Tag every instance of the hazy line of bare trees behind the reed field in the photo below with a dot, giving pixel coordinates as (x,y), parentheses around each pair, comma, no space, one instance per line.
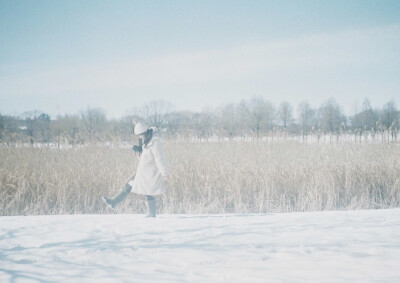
(254,118)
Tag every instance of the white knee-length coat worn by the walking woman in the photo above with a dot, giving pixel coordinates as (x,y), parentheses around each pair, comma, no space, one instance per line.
(151,169)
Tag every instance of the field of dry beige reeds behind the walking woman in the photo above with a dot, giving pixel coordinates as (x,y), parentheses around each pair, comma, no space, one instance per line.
(221,177)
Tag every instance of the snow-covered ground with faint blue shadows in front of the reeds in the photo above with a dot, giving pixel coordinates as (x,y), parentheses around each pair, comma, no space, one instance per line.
(320,246)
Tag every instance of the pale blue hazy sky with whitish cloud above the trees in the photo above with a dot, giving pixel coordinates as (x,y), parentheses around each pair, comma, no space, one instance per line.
(63,56)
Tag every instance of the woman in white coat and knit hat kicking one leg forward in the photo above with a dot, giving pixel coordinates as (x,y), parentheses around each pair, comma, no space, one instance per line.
(151,174)
